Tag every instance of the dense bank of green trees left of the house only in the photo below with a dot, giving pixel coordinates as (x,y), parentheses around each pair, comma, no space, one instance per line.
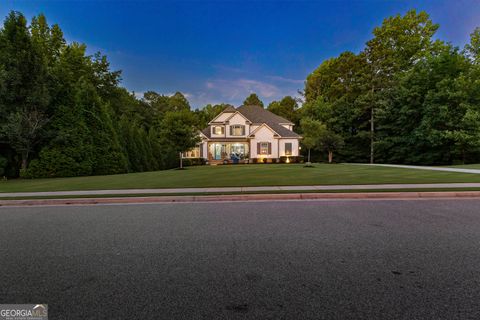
(63,112)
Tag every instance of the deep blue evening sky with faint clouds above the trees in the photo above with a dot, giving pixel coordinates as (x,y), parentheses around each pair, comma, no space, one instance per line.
(220,51)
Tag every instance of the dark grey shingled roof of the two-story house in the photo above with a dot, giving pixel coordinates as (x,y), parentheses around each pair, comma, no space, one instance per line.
(259,115)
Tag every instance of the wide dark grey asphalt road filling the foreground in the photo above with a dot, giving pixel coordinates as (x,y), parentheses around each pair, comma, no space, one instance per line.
(260,260)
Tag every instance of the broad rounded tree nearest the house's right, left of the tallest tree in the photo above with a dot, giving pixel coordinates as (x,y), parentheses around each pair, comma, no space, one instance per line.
(333,95)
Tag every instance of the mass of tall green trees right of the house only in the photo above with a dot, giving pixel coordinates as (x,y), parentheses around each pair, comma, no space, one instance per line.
(405,98)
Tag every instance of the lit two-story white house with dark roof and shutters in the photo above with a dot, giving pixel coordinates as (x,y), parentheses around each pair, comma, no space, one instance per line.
(247,133)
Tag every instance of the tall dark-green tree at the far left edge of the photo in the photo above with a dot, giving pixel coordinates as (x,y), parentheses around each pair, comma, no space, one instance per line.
(24,94)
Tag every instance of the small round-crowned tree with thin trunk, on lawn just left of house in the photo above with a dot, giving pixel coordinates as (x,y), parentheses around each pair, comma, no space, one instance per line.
(178,133)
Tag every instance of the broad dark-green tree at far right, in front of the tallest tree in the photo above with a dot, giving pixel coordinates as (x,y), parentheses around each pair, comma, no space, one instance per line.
(429,115)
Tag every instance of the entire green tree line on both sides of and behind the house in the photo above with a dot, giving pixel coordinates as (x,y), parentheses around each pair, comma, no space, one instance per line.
(405,98)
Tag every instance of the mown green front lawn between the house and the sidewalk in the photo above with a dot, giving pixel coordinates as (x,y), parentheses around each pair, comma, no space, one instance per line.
(242,175)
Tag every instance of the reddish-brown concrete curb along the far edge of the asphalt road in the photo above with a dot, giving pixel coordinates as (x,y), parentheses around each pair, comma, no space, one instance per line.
(246,197)
